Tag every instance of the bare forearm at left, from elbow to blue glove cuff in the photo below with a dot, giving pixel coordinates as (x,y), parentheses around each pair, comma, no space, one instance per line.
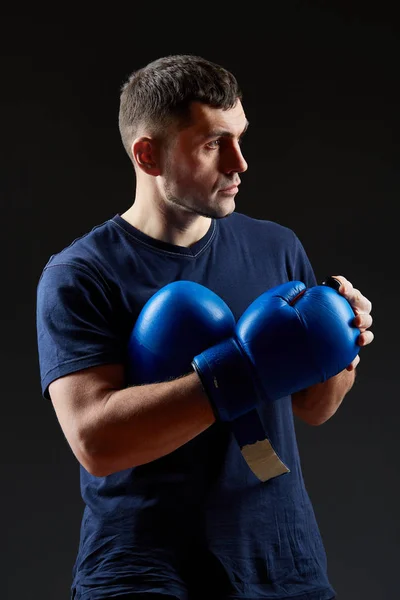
(140,424)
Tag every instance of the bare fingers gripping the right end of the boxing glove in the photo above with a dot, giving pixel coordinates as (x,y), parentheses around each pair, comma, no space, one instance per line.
(362,309)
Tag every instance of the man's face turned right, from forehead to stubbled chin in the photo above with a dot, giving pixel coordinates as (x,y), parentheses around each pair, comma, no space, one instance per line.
(205,159)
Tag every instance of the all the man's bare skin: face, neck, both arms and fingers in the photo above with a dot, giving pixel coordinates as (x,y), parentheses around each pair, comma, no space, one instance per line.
(179,189)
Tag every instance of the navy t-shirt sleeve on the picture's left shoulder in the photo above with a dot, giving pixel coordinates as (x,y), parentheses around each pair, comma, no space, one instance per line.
(75,323)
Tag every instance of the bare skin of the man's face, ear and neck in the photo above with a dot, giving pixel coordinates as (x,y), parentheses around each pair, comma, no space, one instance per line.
(180,188)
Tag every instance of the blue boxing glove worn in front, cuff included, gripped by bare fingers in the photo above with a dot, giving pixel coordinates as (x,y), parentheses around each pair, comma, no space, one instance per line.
(288,339)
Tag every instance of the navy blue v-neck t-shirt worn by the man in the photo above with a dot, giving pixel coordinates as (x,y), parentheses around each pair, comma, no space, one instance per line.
(196,523)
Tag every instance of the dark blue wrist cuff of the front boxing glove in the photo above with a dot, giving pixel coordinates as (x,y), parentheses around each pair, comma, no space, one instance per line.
(227,379)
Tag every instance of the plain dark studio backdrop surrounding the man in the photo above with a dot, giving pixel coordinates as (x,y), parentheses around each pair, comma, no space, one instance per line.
(321,91)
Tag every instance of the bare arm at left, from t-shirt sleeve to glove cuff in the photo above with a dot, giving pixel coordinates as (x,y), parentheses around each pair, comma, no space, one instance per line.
(110,429)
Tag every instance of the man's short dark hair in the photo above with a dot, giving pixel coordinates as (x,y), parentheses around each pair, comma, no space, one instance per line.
(160,94)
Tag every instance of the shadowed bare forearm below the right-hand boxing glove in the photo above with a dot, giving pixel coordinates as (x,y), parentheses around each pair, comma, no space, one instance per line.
(319,402)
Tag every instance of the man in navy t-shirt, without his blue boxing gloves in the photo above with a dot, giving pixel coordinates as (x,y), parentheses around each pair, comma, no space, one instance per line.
(172,509)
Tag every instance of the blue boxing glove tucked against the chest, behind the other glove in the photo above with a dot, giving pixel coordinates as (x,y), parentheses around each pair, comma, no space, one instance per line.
(178,322)
